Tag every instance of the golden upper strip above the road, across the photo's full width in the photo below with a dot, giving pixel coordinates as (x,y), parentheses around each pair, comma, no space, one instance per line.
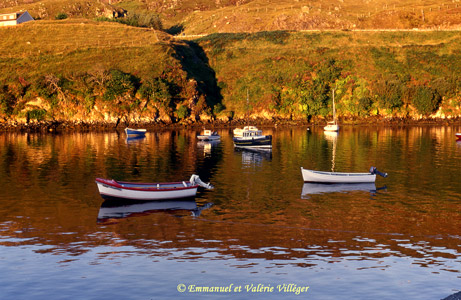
(211,16)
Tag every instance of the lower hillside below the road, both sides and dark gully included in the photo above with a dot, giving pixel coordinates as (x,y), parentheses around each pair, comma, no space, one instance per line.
(113,73)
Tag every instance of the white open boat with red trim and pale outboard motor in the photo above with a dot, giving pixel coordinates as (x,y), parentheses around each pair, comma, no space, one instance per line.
(110,189)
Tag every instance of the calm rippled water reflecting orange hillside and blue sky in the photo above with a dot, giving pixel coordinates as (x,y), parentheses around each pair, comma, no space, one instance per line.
(259,229)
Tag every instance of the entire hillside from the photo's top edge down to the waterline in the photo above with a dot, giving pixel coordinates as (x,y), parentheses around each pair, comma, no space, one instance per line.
(130,69)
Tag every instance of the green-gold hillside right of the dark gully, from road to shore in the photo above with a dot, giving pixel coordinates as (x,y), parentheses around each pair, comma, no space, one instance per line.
(374,73)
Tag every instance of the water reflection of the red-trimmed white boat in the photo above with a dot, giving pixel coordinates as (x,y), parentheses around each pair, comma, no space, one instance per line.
(119,209)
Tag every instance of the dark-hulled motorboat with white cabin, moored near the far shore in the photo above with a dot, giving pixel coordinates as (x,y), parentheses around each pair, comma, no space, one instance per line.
(251,137)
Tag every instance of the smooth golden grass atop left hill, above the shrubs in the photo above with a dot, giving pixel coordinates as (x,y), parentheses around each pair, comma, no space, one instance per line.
(77,46)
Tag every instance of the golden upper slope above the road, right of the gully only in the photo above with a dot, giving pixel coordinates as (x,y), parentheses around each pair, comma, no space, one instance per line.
(268,15)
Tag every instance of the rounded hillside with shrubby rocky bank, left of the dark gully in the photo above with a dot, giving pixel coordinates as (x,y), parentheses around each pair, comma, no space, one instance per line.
(89,71)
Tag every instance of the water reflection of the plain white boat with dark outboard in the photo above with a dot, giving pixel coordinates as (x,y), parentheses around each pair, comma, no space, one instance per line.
(321,188)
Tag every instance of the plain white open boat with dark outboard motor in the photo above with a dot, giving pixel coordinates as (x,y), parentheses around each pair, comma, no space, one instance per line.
(339,177)
